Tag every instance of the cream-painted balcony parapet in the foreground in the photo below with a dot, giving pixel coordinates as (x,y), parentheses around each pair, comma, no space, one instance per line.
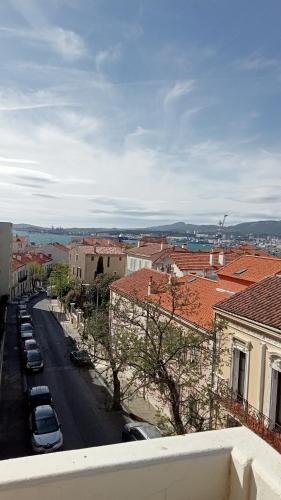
(229,464)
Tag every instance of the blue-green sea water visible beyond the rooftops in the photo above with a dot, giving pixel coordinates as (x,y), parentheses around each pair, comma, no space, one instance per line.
(43,238)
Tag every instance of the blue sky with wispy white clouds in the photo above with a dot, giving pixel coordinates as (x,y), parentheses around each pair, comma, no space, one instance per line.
(133,113)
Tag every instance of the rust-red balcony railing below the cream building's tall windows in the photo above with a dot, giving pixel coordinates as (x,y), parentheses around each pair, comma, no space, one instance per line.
(248,415)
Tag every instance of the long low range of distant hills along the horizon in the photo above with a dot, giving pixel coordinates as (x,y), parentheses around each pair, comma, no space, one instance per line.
(259,228)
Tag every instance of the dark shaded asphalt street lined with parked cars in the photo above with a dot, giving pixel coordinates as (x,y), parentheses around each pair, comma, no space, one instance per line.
(80,398)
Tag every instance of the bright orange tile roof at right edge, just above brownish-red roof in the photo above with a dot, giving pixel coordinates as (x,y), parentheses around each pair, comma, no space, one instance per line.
(250,269)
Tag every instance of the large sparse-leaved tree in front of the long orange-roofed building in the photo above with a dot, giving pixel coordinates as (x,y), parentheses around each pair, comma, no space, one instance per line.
(176,364)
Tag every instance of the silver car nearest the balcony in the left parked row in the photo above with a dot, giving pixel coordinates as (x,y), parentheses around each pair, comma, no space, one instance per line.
(46,435)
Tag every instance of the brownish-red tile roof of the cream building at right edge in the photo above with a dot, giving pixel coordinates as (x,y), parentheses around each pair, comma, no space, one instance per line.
(259,302)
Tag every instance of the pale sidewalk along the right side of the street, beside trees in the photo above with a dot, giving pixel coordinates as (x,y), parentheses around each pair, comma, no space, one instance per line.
(137,405)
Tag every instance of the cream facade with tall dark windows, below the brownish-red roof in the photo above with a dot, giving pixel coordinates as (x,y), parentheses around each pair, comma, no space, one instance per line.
(253,368)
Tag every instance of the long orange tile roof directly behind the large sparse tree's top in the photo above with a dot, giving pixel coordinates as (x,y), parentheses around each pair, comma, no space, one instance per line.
(201,293)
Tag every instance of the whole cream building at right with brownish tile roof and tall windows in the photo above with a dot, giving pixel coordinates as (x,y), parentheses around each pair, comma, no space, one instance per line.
(253,370)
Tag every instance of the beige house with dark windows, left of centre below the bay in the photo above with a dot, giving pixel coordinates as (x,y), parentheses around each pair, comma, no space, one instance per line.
(87,261)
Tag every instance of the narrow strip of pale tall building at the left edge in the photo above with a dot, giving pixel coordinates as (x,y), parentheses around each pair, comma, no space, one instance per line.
(5,257)
